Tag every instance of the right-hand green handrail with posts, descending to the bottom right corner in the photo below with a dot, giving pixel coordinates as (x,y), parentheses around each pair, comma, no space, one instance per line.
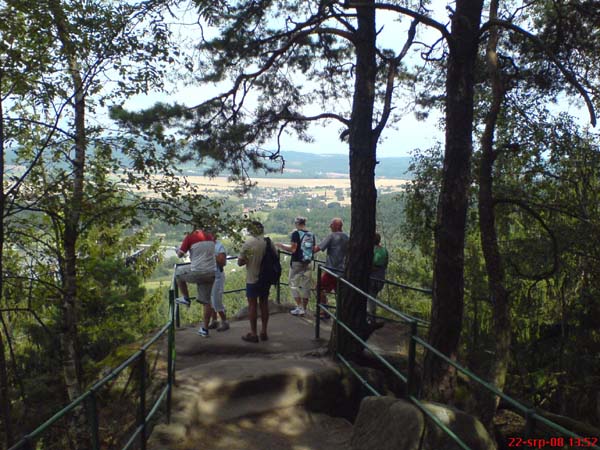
(531,416)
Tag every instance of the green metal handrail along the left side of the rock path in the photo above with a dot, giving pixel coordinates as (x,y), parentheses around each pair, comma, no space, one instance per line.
(90,394)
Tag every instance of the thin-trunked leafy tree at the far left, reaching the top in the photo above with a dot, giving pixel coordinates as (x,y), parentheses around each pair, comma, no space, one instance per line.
(51,80)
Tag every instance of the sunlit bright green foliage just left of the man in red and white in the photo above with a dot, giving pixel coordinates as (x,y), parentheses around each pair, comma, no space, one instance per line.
(114,306)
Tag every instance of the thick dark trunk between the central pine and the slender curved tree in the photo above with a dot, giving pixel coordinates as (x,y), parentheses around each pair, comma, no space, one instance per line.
(448,273)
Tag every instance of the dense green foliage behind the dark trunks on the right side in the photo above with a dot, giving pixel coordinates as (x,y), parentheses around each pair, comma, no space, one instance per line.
(547,191)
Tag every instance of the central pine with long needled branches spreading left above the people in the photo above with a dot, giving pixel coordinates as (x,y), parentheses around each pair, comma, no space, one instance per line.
(285,44)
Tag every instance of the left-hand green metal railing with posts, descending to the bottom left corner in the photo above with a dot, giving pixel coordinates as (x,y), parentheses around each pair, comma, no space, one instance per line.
(89,399)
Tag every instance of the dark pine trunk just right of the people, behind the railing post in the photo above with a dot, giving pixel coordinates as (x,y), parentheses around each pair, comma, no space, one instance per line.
(363,144)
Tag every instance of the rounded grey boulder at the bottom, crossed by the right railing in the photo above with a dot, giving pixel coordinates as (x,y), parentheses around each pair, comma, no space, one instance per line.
(390,423)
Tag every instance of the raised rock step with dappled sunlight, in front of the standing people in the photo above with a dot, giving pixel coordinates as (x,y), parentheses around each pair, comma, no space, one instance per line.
(230,388)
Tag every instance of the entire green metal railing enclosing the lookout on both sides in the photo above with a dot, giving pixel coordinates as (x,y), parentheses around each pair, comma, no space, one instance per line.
(89,398)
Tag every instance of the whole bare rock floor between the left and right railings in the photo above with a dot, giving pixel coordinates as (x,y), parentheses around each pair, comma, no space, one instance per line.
(231,394)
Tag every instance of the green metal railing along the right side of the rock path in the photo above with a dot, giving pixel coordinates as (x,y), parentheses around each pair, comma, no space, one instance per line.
(411,381)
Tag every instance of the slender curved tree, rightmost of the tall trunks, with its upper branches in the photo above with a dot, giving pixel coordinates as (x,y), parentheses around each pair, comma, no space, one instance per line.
(502,79)
